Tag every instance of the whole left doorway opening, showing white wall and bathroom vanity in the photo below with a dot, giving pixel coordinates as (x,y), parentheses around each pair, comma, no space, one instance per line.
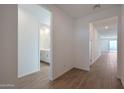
(34,41)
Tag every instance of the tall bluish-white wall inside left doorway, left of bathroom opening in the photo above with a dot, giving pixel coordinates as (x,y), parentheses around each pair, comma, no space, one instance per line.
(28,28)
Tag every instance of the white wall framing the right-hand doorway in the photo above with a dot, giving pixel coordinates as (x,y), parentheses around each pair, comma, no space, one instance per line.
(82,36)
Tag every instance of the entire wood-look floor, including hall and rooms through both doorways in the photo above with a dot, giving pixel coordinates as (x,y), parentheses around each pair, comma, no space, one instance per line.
(101,76)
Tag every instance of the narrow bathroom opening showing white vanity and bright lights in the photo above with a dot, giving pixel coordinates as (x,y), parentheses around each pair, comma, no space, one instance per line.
(45,49)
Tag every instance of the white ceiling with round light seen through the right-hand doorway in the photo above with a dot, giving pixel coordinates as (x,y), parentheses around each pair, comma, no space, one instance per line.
(112,27)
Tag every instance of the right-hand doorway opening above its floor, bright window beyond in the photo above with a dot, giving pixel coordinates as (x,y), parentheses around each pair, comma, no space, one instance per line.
(103,39)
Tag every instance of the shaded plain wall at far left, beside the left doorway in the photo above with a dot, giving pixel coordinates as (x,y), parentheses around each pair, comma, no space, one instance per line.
(8,45)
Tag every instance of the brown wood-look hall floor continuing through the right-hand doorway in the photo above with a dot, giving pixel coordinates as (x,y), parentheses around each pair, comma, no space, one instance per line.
(101,76)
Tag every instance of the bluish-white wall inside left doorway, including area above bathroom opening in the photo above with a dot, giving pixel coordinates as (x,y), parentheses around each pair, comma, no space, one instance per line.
(29,19)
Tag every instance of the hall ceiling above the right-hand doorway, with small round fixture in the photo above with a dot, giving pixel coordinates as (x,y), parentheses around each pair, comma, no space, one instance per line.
(81,10)
